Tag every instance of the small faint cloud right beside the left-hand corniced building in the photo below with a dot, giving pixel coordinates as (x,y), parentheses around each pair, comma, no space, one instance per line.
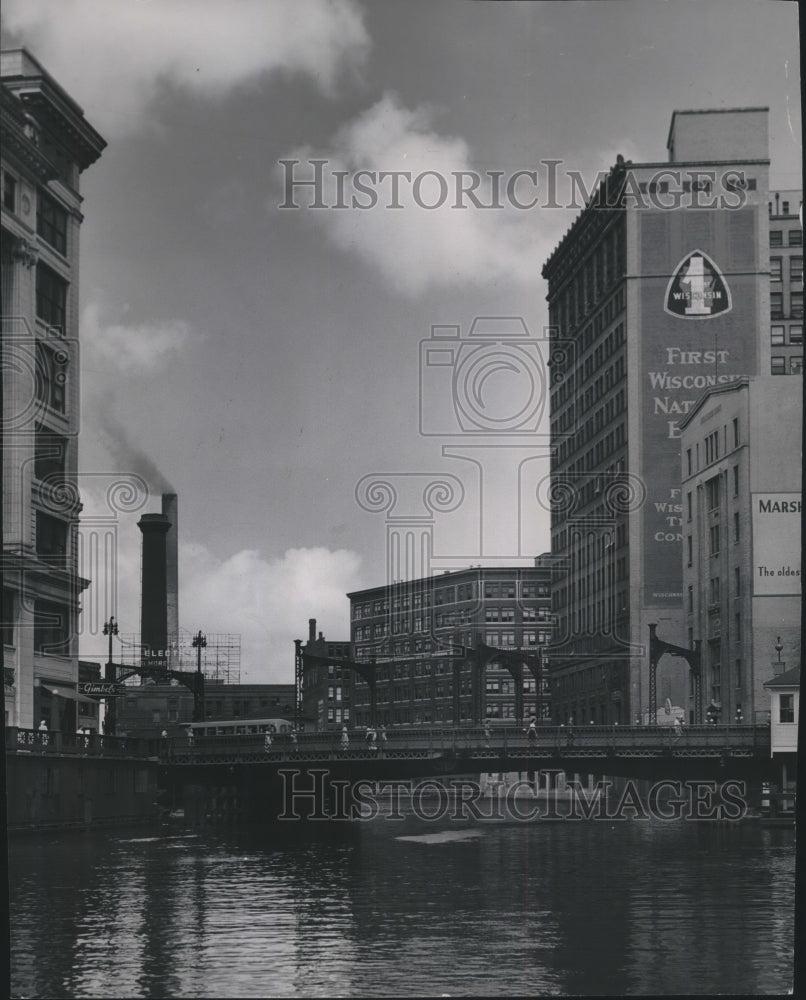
(134,349)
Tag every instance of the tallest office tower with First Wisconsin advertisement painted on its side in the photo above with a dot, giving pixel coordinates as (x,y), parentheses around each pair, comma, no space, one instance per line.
(659,290)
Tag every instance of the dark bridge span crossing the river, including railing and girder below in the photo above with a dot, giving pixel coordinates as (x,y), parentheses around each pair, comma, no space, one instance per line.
(630,751)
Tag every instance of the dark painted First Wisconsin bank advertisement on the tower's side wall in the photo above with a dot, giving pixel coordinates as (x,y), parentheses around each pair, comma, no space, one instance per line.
(698,329)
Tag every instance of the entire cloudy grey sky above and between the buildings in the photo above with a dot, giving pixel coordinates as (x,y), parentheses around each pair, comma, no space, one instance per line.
(270,363)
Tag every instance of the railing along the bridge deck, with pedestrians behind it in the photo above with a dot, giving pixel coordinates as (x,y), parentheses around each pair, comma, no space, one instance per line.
(475,741)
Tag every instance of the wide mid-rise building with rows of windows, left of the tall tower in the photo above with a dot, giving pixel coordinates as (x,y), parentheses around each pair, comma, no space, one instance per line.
(467,645)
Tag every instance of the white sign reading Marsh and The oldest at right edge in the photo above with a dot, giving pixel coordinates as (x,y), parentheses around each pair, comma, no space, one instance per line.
(776,544)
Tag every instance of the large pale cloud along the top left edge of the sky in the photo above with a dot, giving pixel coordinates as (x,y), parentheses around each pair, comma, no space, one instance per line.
(114,57)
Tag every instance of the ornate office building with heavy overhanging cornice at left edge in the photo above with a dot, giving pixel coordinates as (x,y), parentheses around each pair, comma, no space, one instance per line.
(46,144)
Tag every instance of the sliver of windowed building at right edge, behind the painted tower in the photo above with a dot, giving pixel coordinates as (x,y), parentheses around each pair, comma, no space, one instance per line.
(786,283)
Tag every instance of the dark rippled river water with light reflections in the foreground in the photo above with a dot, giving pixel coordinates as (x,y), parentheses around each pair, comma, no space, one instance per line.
(405,908)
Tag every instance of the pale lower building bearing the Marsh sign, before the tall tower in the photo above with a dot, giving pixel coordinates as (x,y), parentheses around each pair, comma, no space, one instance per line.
(741,493)
